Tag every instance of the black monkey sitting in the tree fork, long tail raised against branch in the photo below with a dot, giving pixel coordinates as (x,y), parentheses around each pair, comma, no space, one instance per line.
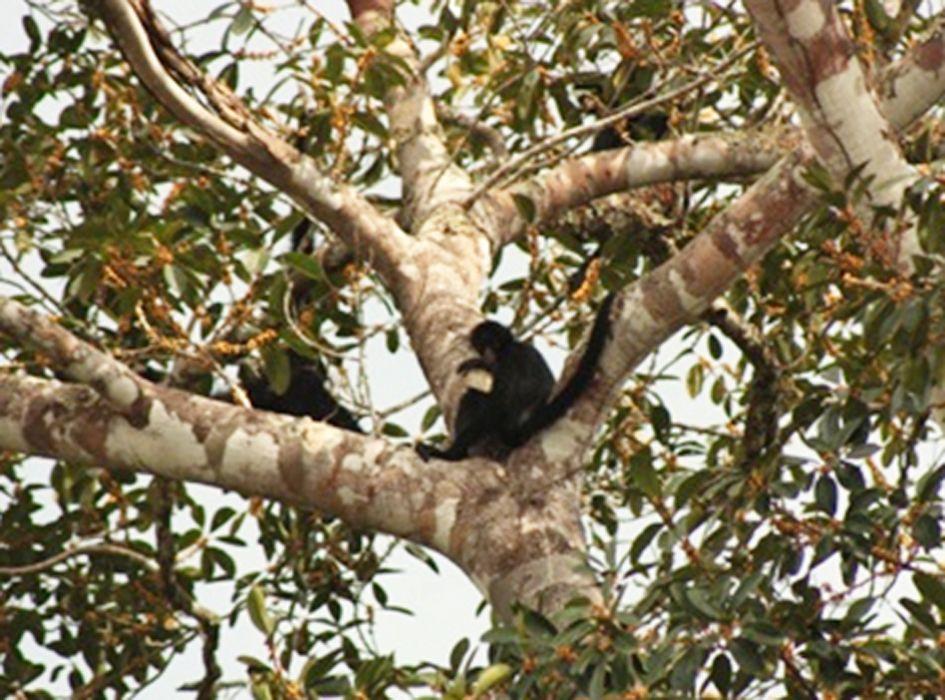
(516,405)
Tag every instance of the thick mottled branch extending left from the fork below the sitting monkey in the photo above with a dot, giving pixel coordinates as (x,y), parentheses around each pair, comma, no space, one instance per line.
(365,481)
